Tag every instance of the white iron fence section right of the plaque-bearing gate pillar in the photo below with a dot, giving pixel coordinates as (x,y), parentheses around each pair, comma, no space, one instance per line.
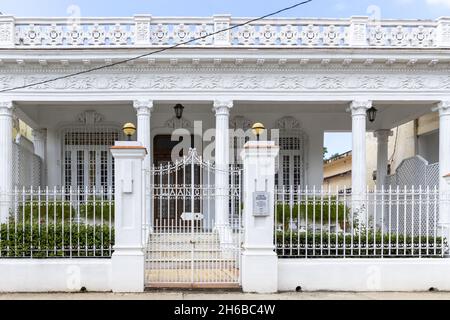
(385,223)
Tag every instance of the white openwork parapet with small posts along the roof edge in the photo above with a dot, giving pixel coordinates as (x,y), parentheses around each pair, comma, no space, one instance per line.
(146,31)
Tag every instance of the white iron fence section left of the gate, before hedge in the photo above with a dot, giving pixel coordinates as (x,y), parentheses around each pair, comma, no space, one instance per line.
(57,223)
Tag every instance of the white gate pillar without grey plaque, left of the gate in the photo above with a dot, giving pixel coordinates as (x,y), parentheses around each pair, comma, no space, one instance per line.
(128,261)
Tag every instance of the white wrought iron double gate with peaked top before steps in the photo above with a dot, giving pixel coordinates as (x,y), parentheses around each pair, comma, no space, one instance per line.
(187,246)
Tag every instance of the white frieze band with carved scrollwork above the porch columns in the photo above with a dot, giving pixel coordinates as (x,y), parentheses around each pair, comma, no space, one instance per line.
(263,82)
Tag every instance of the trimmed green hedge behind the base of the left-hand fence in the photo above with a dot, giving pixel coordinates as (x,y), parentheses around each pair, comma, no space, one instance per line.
(55,240)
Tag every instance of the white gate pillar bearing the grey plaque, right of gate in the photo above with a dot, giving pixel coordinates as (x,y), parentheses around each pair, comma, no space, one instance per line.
(259,259)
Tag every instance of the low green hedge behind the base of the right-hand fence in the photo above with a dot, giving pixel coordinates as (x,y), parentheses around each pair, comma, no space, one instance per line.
(364,245)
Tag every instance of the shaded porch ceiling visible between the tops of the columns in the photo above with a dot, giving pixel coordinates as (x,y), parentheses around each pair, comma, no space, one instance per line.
(390,113)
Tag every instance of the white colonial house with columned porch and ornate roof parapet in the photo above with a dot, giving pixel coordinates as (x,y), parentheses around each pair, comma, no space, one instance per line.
(303,77)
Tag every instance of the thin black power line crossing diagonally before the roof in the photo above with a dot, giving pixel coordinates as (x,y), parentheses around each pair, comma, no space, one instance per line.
(156,51)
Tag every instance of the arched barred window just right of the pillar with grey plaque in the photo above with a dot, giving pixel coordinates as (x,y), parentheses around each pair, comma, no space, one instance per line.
(292,161)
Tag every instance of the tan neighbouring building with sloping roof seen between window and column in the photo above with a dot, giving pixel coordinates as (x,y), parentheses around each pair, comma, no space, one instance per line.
(337,172)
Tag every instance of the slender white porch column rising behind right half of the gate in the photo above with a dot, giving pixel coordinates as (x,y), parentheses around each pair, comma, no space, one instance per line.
(222,162)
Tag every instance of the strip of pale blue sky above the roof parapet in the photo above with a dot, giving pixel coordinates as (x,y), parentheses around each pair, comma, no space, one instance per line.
(422,9)
